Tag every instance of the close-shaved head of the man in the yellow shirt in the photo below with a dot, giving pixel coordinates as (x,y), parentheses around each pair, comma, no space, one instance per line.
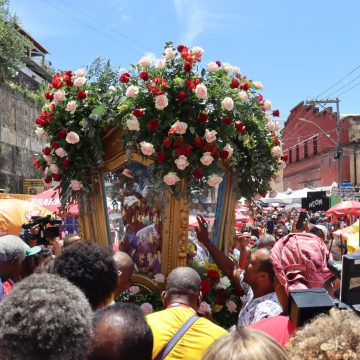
(183,285)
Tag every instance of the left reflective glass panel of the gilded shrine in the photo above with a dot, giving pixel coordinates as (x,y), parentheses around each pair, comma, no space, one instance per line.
(134,225)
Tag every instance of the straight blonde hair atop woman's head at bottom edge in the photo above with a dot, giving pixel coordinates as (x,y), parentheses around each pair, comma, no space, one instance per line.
(245,344)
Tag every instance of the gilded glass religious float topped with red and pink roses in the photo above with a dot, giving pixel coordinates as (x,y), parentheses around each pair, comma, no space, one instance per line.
(164,140)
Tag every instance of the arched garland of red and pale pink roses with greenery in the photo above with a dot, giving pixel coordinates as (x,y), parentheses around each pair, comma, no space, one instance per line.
(192,123)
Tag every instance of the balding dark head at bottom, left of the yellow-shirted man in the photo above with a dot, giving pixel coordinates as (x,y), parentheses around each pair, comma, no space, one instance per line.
(121,332)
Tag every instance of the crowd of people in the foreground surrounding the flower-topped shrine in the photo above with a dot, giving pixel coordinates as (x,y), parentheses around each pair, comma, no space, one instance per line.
(64,306)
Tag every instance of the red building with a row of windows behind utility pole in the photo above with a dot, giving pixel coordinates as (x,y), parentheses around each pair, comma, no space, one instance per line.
(310,141)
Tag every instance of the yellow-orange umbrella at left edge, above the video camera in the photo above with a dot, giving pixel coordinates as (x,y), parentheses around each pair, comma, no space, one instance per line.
(15,212)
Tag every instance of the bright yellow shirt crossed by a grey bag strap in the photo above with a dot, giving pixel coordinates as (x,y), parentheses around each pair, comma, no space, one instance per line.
(164,324)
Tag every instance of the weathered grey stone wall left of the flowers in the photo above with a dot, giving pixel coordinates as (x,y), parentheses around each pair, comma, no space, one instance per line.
(18,142)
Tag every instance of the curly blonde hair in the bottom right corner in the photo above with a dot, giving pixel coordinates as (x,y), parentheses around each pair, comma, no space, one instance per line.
(333,336)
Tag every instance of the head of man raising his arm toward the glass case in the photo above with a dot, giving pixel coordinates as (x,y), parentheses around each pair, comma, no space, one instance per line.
(259,273)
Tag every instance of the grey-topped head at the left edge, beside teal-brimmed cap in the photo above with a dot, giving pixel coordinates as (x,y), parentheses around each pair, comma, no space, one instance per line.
(12,253)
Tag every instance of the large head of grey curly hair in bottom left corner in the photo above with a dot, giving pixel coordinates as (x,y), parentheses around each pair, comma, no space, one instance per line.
(45,317)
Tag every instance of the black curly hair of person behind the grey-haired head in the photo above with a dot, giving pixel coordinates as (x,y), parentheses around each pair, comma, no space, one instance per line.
(91,267)
